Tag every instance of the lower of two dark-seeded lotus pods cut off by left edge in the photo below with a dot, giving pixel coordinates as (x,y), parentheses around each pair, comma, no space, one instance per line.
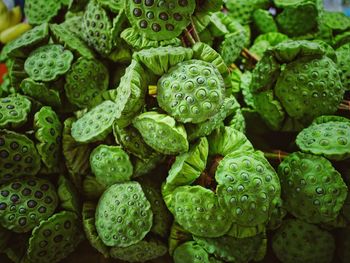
(25,202)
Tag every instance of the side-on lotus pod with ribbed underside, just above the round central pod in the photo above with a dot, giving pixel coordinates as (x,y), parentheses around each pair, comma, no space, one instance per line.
(160,60)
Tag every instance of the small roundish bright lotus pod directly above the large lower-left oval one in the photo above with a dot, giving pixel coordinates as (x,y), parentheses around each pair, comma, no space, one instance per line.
(110,165)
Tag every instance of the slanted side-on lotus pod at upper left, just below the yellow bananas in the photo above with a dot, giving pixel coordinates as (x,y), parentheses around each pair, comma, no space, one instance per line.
(19,46)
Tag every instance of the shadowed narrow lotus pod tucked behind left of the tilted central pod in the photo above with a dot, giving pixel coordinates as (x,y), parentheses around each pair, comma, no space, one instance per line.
(131,141)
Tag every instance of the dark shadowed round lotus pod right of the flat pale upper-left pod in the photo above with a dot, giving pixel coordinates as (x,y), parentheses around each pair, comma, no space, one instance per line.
(85,82)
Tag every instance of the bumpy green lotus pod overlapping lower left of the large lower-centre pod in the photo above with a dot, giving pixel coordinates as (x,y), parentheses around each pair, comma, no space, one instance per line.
(198,211)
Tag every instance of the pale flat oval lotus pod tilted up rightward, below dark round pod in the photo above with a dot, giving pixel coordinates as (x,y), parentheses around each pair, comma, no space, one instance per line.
(96,124)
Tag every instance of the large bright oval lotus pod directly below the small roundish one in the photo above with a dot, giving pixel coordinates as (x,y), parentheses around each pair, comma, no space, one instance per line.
(123,215)
